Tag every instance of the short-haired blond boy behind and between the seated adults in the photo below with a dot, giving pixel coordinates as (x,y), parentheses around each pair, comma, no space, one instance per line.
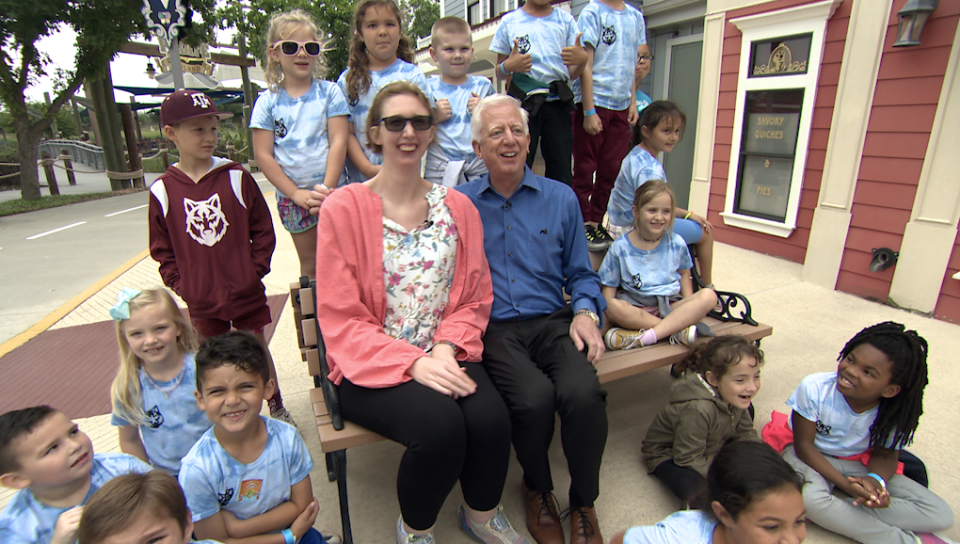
(450,158)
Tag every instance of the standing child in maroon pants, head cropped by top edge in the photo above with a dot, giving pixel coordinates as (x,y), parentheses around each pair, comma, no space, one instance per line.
(614,34)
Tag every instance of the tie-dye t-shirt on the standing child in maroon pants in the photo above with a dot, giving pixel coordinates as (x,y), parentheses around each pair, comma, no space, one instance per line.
(615,36)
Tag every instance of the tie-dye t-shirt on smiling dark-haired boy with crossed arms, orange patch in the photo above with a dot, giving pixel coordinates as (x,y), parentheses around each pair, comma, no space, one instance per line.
(213,480)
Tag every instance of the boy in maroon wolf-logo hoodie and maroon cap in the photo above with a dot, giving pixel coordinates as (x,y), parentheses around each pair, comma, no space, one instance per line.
(211,230)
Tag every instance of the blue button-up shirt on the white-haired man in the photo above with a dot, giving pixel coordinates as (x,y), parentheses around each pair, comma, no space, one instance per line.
(536,248)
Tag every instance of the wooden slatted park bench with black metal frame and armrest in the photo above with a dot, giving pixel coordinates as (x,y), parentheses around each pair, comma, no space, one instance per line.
(337,435)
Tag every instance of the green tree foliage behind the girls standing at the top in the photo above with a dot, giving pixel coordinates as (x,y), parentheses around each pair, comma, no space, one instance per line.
(251,18)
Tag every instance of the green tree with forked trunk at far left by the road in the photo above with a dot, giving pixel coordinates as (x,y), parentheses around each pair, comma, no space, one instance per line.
(102,26)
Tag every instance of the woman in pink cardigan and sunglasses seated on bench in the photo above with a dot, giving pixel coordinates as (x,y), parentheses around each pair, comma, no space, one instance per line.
(406,298)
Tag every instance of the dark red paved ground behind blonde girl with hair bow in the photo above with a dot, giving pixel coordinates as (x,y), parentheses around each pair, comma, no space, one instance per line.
(71,368)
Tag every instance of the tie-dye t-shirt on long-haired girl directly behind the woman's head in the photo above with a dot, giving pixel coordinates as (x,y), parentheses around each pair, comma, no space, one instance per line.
(400,70)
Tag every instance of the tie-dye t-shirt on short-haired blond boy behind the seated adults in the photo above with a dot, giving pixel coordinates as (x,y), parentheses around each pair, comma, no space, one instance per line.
(453,135)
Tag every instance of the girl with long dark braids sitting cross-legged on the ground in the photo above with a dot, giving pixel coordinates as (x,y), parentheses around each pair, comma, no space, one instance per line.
(868,409)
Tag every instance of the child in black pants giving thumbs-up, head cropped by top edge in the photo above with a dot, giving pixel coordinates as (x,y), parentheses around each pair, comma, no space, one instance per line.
(538,55)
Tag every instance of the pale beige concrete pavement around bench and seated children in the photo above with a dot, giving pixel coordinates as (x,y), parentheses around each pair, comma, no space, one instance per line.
(811,325)
